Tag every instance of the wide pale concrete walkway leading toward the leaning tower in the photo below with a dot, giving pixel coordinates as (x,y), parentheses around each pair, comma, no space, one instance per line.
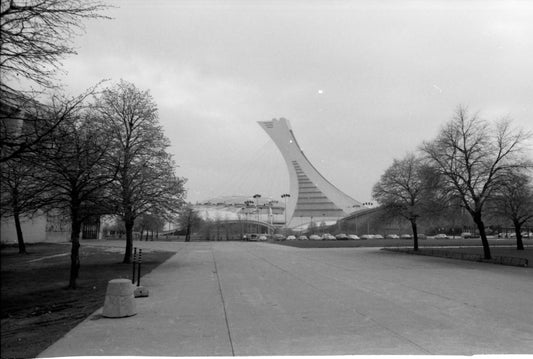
(233,298)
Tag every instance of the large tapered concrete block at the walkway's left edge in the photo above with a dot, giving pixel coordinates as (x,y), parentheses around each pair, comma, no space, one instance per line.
(119,300)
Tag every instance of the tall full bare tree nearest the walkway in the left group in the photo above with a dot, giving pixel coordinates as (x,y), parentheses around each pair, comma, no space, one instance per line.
(146,182)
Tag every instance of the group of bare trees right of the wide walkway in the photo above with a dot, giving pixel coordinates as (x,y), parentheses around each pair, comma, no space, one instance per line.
(484,166)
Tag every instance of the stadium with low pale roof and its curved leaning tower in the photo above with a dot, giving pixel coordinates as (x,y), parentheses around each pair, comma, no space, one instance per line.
(311,199)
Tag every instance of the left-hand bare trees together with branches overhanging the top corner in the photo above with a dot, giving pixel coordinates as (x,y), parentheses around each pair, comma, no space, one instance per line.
(102,152)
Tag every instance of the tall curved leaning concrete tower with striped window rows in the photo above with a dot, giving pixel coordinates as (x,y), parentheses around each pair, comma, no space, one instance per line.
(313,198)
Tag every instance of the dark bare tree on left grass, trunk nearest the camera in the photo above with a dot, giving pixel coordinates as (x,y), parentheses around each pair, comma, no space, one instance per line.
(75,166)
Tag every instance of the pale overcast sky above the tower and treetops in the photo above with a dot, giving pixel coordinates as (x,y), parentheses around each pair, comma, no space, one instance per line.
(360,82)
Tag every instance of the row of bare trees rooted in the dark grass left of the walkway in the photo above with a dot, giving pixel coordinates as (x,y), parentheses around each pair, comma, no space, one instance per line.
(107,156)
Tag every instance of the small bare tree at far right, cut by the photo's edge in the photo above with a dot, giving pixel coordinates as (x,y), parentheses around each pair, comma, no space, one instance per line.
(513,200)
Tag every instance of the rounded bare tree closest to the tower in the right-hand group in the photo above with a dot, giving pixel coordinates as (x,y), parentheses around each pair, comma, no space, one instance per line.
(407,189)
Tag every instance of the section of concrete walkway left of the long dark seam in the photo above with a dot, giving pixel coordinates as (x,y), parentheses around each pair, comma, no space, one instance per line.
(183,315)
